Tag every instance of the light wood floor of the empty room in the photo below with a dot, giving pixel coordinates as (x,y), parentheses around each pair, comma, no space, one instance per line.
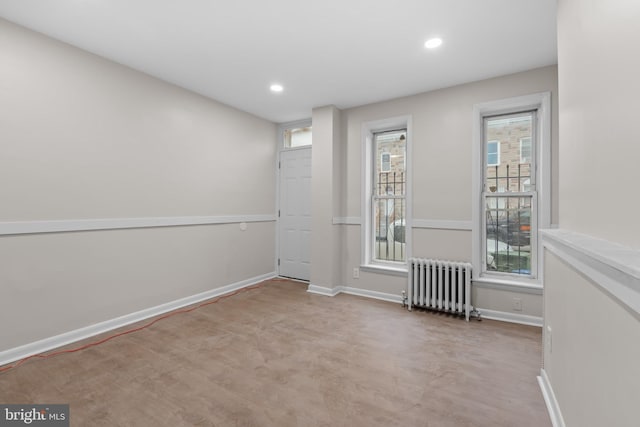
(279,356)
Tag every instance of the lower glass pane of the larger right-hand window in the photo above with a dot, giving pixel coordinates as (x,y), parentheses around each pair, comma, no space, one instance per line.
(508,242)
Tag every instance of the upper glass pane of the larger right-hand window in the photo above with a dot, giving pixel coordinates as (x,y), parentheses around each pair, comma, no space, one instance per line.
(509,151)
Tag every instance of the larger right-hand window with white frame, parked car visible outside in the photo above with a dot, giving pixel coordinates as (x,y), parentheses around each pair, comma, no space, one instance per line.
(511,199)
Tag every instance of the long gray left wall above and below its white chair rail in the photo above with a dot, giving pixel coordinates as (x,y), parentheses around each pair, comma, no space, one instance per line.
(85,138)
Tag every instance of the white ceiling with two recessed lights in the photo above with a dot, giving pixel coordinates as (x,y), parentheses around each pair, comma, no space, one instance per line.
(341,52)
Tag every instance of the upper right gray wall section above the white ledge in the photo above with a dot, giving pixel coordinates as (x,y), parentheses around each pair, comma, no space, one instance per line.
(600,145)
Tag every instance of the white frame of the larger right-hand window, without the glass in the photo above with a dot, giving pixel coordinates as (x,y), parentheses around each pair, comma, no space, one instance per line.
(541,102)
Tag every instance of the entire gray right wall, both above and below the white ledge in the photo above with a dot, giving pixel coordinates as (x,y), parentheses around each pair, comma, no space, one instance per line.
(591,355)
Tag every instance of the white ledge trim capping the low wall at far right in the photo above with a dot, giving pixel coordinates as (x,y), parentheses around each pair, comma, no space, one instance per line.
(614,268)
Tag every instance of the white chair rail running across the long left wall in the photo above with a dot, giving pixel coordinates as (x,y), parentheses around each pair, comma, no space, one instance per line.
(60,226)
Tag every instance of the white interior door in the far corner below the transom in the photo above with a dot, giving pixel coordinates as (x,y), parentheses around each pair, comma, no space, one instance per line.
(295,213)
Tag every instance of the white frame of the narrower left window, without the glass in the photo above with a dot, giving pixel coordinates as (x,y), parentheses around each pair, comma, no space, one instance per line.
(368,263)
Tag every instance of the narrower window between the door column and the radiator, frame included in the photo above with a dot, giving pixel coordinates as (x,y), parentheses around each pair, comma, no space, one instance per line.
(386,190)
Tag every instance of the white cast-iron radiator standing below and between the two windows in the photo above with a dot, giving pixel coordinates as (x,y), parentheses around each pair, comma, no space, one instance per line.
(440,285)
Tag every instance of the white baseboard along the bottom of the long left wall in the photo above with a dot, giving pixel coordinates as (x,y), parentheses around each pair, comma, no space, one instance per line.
(66,338)
